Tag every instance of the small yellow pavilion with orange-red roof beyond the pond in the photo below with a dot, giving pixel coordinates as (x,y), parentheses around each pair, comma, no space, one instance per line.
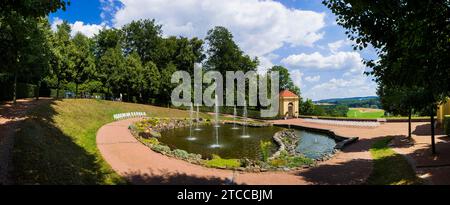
(289,103)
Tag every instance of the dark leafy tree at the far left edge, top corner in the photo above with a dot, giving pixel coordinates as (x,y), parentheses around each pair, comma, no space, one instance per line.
(19,28)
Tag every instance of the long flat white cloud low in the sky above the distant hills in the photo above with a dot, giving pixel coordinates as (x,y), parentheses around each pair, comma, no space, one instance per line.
(350,61)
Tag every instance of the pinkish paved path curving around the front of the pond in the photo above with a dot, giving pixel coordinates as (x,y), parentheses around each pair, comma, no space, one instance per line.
(140,165)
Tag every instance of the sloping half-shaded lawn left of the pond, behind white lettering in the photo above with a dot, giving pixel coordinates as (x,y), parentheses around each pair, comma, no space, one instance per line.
(56,144)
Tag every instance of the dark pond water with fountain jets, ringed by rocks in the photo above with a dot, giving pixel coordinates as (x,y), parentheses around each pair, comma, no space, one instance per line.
(240,143)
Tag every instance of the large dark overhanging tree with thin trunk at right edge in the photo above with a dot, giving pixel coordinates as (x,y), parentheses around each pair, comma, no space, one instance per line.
(412,42)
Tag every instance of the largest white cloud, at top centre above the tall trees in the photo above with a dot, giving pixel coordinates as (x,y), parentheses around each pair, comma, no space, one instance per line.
(259,27)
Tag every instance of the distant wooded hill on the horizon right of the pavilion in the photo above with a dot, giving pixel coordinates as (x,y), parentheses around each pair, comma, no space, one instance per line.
(353,102)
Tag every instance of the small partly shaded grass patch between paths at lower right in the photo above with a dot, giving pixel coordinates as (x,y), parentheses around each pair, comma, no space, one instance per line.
(390,168)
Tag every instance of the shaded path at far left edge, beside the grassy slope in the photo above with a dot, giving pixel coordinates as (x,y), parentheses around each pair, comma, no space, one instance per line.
(10,116)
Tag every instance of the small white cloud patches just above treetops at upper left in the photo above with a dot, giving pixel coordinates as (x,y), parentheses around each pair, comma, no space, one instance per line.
(87,29)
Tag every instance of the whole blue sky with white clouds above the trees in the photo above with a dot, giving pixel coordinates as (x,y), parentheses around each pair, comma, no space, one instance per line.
(299,34)
